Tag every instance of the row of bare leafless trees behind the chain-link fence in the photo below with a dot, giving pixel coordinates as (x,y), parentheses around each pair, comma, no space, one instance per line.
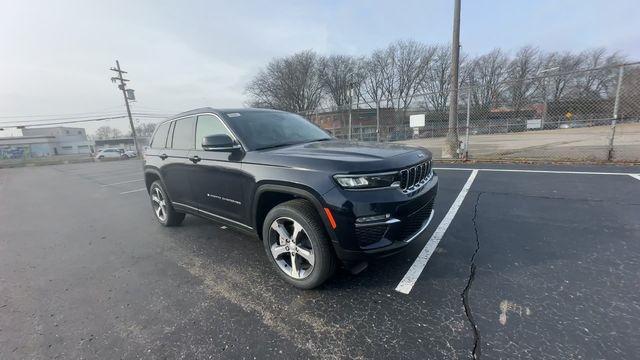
(394,76)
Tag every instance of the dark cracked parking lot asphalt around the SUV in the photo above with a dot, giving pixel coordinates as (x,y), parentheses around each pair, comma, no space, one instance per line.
(533,265)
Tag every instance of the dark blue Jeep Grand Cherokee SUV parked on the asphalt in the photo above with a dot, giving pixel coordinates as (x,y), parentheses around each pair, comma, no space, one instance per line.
(314,201)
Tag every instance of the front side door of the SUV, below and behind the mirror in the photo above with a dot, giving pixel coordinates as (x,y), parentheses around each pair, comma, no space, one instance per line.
(217,180)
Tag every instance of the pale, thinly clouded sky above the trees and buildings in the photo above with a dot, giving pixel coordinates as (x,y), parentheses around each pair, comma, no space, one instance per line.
(55,55)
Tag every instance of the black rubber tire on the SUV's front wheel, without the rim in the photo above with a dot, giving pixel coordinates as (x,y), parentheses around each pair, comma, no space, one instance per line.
(325,261)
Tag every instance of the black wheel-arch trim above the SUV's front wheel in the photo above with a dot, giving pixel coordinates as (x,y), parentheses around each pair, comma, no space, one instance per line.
(298,190)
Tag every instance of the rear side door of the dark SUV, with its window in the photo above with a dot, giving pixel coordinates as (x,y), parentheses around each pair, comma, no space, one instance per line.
(176,165)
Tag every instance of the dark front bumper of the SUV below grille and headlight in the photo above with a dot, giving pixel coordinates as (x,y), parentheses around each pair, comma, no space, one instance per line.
(410,215)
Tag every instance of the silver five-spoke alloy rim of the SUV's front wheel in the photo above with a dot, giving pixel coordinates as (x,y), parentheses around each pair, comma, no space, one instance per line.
(291,248)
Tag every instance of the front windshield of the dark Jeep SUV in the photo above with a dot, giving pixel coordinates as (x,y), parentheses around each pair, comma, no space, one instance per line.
(269,129)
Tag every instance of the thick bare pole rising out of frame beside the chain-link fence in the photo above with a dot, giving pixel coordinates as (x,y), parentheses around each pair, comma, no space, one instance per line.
(450,149)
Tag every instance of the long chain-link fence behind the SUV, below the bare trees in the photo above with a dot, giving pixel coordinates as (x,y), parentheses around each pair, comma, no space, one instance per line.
(587,115)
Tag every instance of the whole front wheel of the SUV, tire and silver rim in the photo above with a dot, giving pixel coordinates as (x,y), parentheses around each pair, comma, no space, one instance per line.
(298,245)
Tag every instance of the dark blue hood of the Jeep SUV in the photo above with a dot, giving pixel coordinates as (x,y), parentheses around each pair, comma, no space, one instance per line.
(345,156)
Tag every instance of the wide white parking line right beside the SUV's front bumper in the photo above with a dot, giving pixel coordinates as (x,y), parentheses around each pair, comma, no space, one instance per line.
(410,278)
